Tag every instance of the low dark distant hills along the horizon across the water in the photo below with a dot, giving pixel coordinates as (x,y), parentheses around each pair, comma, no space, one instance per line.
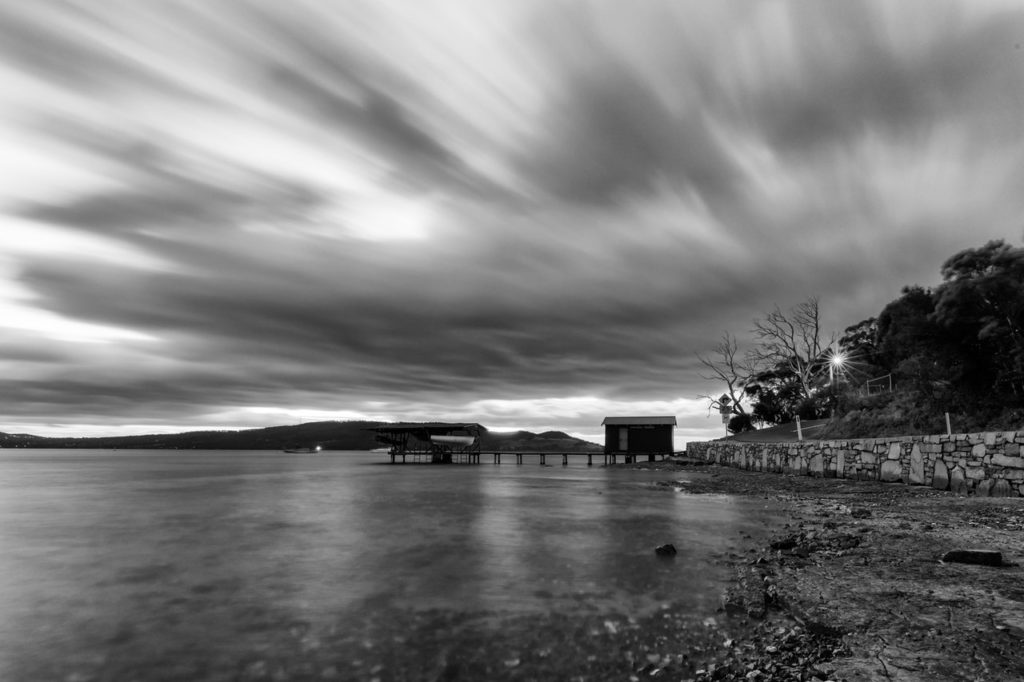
(330,436)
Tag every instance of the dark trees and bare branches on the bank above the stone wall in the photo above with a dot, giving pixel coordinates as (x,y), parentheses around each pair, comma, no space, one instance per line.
(958,348)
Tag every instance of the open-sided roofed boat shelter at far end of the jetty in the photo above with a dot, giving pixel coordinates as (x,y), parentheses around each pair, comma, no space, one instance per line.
(440,443)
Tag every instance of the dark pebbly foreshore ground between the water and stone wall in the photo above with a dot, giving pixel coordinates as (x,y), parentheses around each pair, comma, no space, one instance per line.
(852,586)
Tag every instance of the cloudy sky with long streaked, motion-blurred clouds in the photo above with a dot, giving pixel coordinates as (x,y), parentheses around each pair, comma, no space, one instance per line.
(528,215)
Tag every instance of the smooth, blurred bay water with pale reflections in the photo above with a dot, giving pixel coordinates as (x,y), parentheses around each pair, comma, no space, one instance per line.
(226,566)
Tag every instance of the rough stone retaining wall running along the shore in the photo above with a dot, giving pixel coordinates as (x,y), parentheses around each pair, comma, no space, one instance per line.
(984,464)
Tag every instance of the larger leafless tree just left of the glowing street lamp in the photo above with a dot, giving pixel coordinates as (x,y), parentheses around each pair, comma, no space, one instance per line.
(793,340)
